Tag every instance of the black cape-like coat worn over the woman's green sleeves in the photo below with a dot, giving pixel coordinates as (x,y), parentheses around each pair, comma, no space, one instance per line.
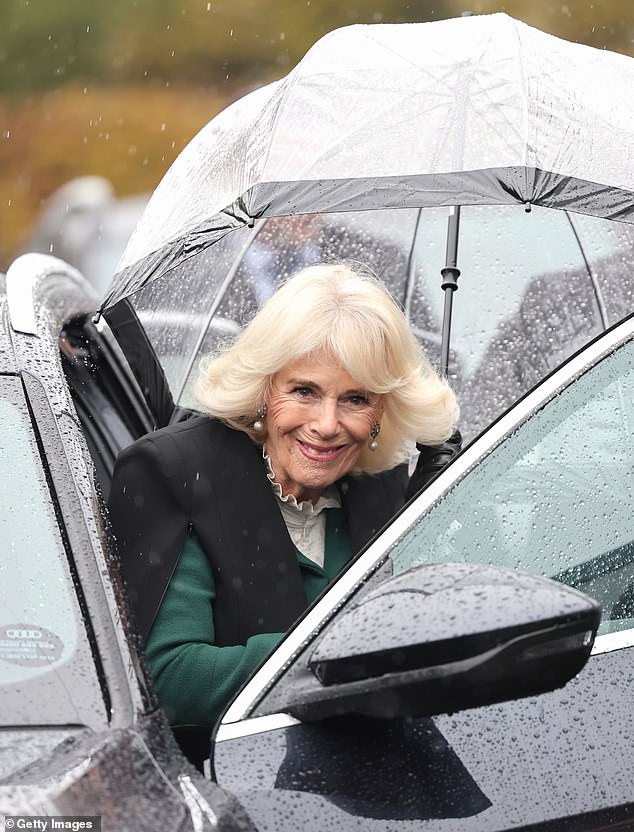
(202,475)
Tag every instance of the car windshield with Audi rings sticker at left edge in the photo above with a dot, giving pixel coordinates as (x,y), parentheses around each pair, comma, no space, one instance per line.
(47,674)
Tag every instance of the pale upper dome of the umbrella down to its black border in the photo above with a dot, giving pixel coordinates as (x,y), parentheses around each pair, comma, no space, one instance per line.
(476,110)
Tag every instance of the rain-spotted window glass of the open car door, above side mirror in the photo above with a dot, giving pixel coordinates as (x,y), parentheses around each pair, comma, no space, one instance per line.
(555,498)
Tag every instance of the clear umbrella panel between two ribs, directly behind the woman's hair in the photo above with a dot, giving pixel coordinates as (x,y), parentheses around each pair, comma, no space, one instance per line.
(381,240)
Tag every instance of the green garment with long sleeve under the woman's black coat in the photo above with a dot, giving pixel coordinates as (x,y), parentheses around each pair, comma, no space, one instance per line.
(194,678)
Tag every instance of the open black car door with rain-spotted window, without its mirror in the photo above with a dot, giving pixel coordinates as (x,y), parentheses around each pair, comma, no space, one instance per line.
(549,489)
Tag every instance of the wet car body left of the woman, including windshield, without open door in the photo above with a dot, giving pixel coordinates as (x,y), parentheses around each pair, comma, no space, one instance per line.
(80,730)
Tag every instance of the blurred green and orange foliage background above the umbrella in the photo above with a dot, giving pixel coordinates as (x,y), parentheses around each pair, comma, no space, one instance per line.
(118,88)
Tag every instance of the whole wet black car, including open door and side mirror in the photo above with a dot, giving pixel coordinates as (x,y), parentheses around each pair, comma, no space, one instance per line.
(423,690)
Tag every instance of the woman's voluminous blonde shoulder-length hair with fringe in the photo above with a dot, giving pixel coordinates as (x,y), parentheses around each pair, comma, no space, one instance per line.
(349,315)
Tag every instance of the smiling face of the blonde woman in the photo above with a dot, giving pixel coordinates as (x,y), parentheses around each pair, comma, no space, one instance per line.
(318,421)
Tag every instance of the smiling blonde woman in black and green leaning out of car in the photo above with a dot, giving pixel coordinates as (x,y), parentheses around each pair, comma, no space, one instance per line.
(229,524)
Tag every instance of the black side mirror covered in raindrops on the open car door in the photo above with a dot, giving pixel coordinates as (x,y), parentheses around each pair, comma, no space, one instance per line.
(442,638)
